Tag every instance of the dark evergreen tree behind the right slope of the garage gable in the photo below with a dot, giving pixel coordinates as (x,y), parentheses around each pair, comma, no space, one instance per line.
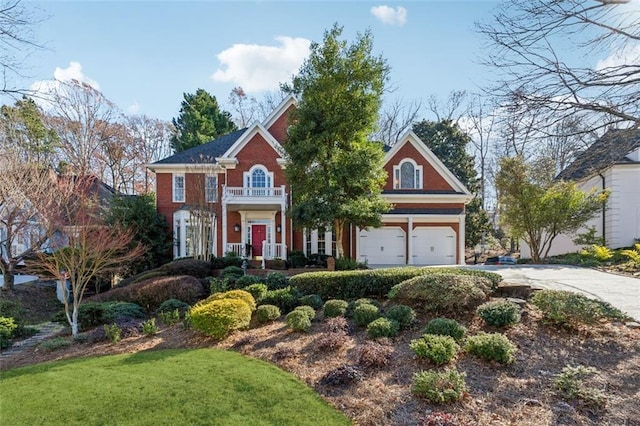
(449,143)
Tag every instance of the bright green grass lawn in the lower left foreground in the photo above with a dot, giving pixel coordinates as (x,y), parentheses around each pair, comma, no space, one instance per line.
(164,387)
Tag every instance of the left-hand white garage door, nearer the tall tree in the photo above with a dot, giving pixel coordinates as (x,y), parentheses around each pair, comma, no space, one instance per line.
(383,246)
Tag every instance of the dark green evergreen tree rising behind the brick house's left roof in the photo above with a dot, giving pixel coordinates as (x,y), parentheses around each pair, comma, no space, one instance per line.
(200,120)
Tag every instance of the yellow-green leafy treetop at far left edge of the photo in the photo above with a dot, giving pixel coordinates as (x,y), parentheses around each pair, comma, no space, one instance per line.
(23,129)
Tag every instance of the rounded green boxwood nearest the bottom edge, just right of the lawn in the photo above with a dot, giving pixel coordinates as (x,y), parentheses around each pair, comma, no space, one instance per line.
(439,386)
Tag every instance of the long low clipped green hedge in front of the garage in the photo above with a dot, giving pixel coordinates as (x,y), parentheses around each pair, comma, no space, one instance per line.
(373,282)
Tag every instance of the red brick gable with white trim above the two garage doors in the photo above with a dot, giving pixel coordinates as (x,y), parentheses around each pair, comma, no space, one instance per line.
(436,177)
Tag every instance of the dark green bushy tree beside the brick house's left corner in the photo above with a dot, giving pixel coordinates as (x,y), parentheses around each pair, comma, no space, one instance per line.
(139,215)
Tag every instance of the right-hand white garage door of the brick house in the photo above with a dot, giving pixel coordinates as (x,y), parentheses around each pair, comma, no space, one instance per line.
(434,246)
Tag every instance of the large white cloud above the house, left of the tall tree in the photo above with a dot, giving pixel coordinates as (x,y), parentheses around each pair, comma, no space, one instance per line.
(259,68)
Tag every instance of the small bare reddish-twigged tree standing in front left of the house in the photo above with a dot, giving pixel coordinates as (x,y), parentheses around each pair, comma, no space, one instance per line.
(93,250)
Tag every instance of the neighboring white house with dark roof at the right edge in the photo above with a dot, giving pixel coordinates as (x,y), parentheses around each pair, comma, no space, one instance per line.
(612,162)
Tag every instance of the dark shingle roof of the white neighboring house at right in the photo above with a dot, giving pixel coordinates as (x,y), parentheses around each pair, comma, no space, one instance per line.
(612,148)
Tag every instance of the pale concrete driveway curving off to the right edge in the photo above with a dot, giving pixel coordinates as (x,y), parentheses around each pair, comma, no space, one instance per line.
(622,292)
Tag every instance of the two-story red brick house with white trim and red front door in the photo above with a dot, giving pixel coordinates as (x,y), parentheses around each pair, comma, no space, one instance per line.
(233,191)
